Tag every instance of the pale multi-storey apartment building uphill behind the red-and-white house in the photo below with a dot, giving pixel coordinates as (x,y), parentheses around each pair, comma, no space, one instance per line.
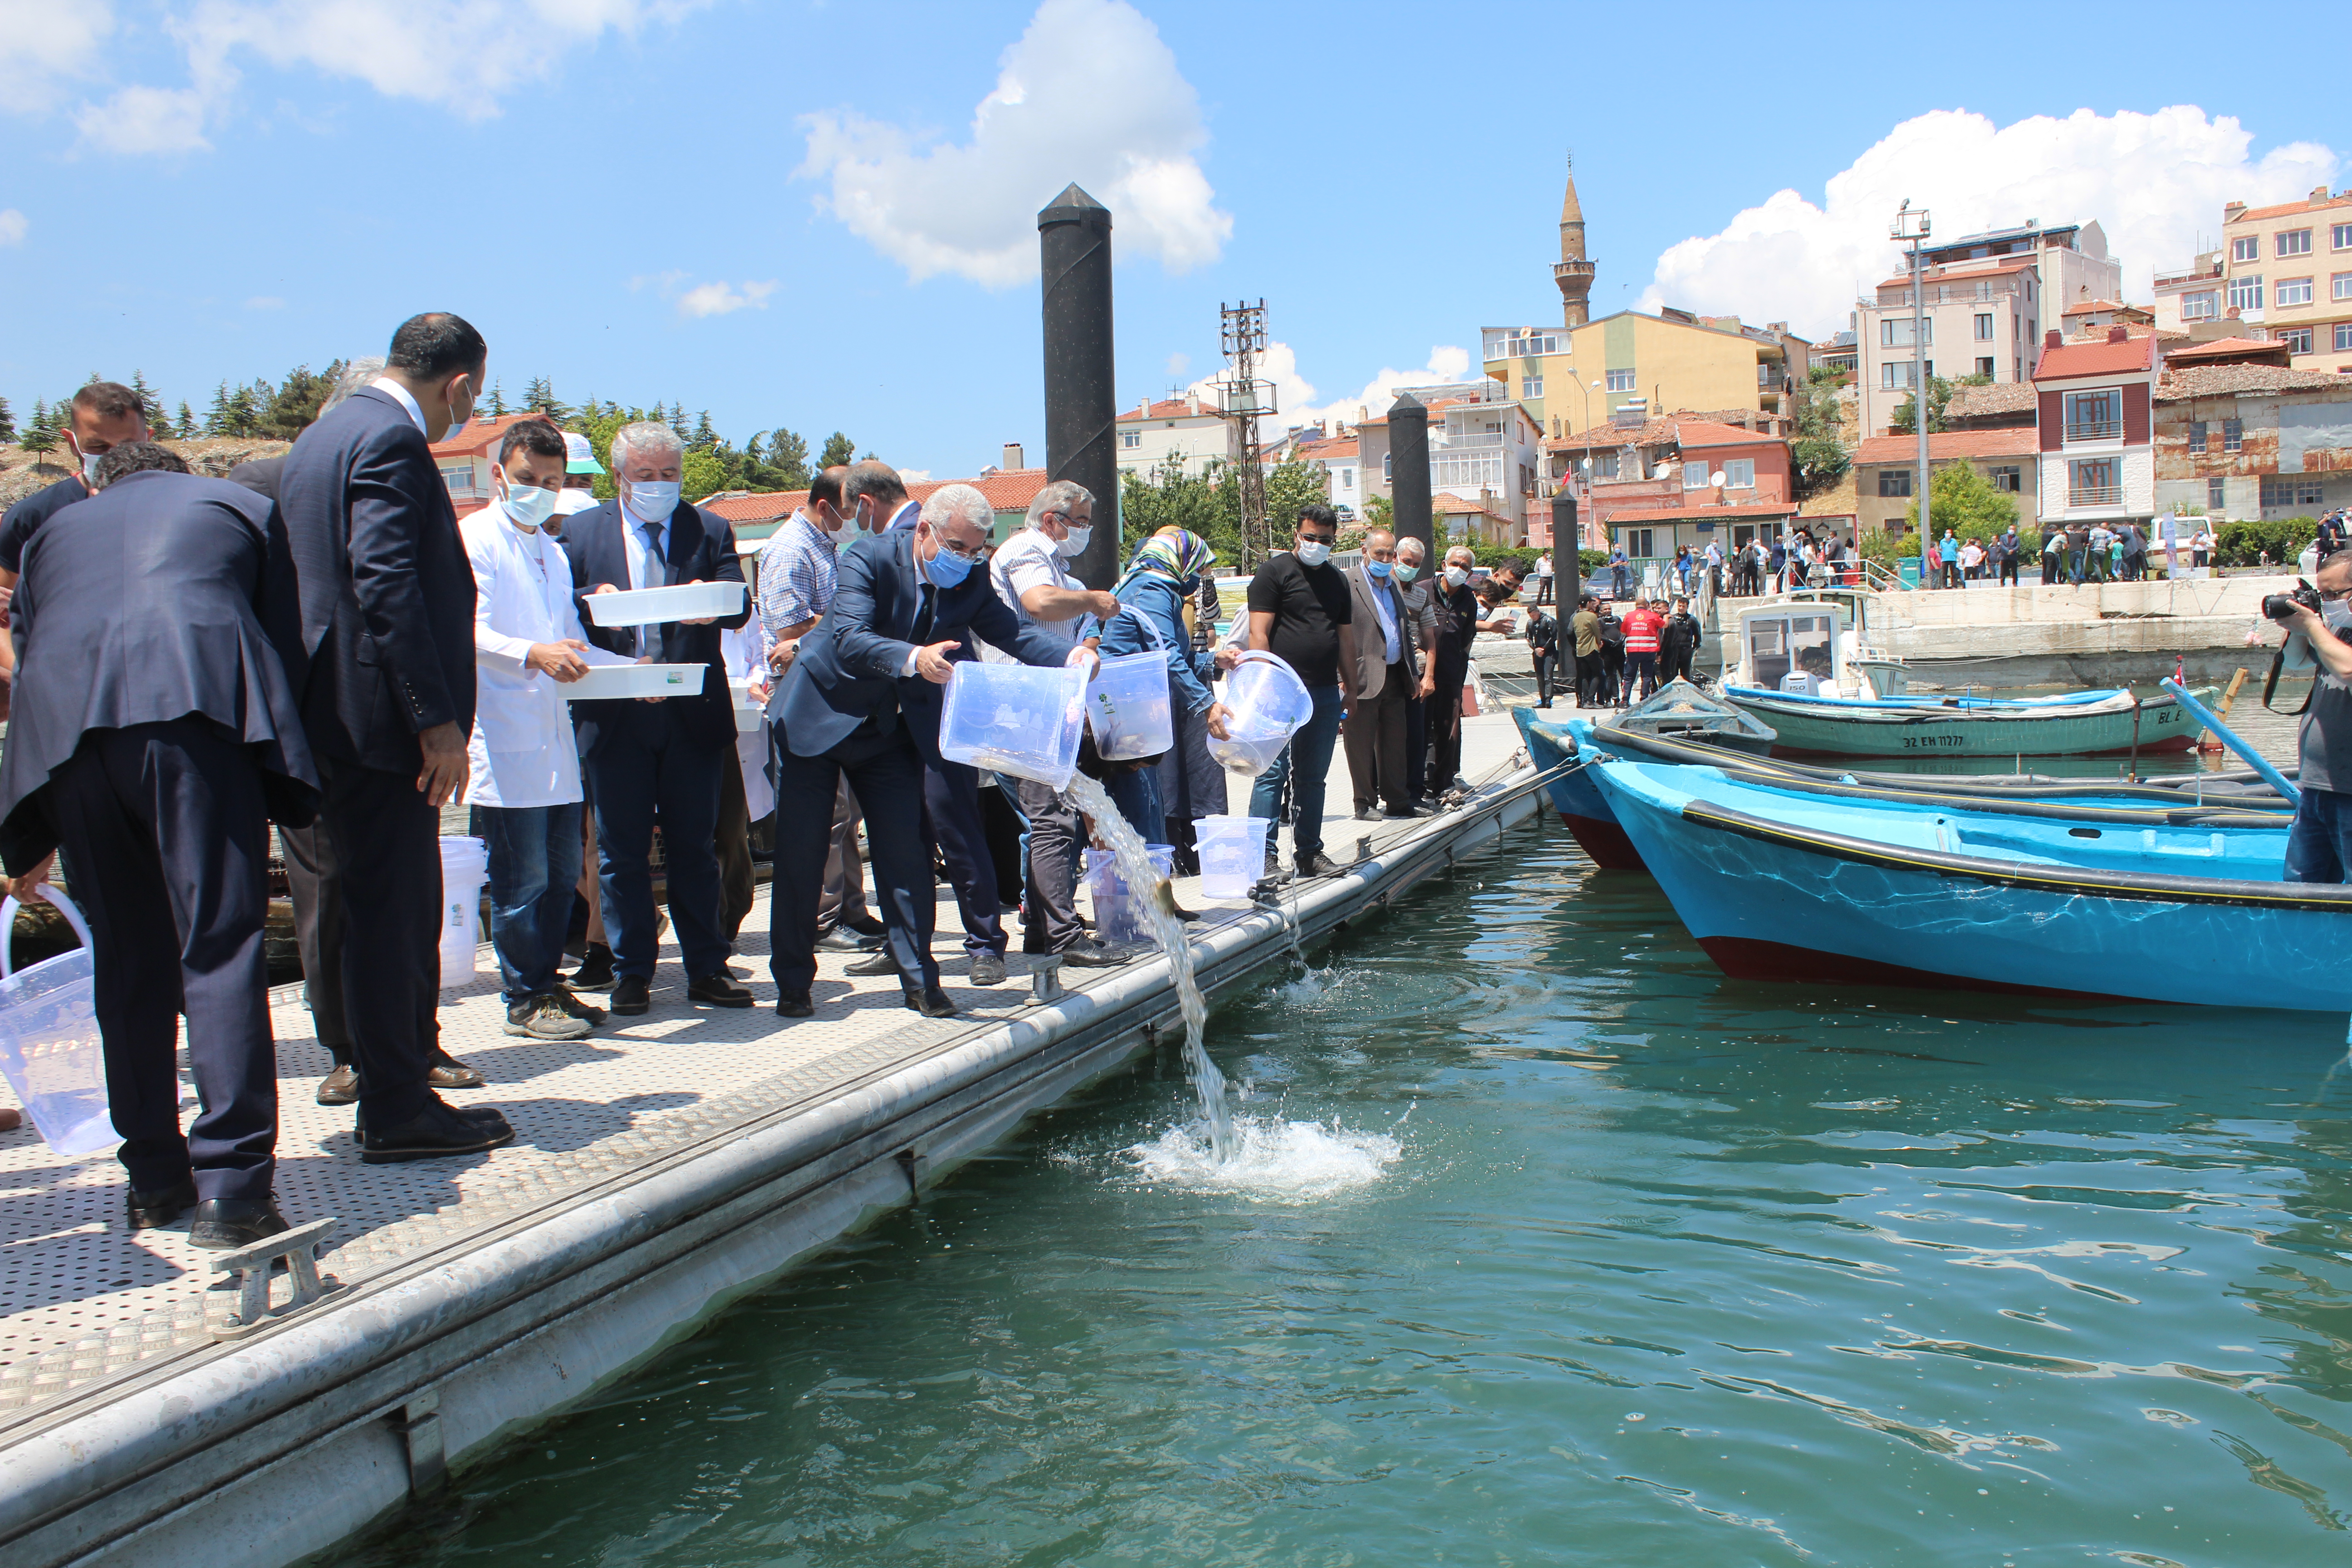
(1986,300)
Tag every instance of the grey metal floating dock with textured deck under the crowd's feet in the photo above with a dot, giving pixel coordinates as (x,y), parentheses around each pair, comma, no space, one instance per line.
(664,1167)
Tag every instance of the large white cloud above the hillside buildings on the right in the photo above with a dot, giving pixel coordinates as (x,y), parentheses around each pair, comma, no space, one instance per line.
(2153,182)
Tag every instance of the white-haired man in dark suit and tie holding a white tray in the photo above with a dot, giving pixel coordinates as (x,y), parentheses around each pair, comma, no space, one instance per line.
(660,760)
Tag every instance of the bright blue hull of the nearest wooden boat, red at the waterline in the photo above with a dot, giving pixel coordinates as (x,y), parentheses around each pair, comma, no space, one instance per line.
(1887,916)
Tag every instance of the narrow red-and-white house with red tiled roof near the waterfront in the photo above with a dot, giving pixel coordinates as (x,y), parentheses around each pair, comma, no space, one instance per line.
(2094,429)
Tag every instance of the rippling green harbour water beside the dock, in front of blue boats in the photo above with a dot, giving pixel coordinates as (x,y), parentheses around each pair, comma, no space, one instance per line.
(1664,1271)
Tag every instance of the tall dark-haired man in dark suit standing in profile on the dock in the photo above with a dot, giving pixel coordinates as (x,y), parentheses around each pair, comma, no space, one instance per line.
(387,624)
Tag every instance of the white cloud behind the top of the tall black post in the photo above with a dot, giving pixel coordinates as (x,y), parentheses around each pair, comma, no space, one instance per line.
(1085,95)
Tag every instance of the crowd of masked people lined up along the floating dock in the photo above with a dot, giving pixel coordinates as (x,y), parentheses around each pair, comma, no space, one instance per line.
(319,645)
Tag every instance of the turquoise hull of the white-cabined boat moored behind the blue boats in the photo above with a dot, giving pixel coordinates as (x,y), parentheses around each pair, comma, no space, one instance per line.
(1949,732)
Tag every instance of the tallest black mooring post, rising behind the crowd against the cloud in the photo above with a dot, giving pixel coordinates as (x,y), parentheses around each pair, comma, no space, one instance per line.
(1081,398)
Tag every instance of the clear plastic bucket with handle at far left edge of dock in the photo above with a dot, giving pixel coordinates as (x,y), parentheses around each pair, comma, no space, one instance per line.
(51,1040)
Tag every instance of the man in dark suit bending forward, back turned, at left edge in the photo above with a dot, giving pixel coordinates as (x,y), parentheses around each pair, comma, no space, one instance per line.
(154,737)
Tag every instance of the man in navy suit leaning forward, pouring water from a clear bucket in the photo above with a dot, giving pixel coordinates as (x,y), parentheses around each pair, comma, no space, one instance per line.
(864,699)
